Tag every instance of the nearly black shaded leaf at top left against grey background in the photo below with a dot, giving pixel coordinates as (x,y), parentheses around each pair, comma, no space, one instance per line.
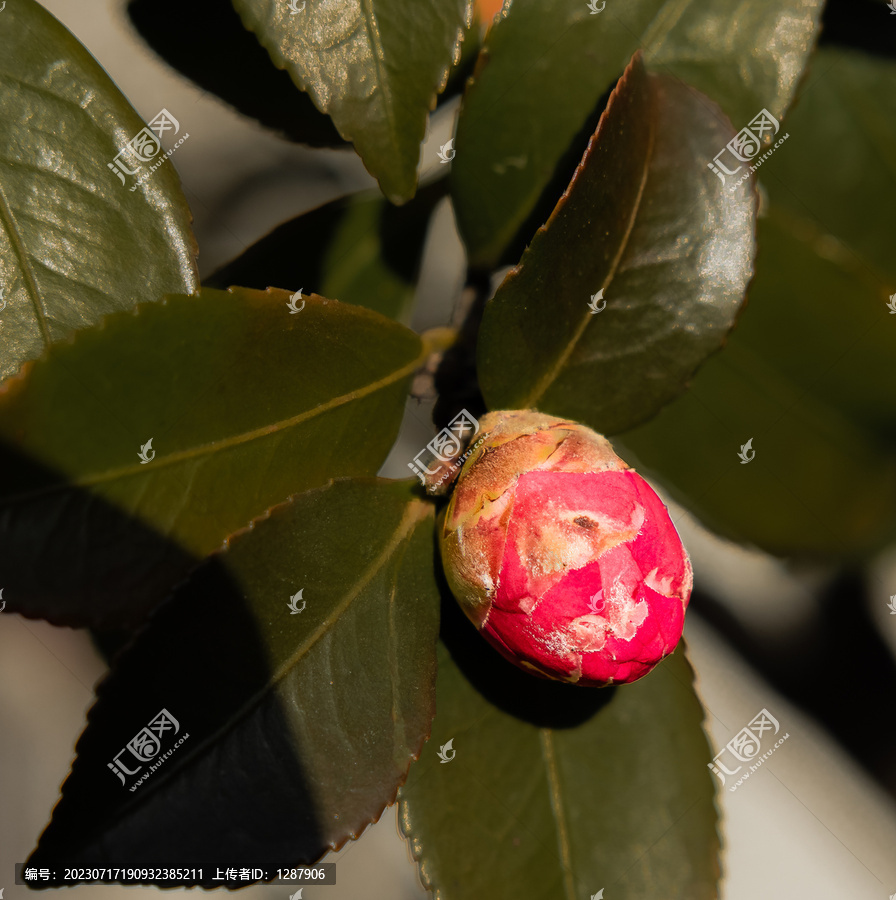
(253,86)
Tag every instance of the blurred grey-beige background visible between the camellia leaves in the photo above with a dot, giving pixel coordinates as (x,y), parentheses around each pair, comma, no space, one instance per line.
(813,643)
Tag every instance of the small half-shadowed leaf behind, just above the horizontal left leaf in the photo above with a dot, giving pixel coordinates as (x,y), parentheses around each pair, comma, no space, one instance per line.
(360,250)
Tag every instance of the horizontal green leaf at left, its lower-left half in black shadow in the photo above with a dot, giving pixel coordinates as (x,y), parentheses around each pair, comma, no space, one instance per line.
(245,404)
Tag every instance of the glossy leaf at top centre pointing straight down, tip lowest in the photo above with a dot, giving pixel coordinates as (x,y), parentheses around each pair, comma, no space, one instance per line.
(375,67)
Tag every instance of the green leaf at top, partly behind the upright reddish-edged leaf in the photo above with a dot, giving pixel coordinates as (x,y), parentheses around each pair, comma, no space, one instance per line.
(531,108)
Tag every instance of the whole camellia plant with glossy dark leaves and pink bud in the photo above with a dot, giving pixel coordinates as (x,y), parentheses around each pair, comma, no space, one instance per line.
(191,470)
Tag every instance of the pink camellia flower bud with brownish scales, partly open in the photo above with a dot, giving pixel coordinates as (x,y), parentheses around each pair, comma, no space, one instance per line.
(563,557)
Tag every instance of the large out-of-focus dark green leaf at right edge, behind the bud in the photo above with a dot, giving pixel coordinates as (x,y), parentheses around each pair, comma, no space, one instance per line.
(807,373)
